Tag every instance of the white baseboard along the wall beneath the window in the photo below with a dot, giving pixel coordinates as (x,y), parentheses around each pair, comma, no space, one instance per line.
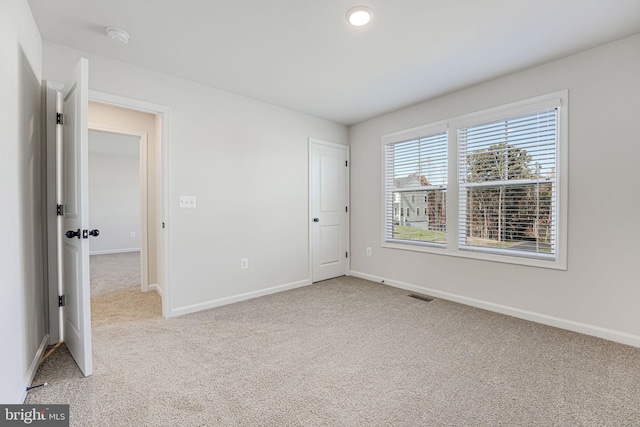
(583,328)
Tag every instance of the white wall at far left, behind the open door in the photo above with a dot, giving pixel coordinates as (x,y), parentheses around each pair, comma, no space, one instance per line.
(22,280)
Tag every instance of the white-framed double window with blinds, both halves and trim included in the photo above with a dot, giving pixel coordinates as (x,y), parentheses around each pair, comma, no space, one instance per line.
(492,185)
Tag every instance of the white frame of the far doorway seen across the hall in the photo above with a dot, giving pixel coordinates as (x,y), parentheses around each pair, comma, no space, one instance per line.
(144,244)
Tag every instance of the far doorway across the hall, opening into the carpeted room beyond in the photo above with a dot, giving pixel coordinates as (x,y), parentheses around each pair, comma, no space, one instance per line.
(118,208)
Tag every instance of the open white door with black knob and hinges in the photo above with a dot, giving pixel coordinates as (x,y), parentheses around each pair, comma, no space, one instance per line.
(74,253)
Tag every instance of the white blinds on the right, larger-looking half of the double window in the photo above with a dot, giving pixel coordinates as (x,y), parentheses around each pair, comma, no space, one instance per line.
(507,185)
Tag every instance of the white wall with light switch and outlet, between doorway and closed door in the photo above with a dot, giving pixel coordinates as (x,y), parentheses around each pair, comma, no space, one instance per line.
(244,160)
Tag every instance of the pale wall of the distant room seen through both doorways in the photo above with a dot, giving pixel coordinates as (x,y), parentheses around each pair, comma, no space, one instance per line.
(114,192)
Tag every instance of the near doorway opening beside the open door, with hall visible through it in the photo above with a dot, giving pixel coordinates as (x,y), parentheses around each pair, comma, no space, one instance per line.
(125,146)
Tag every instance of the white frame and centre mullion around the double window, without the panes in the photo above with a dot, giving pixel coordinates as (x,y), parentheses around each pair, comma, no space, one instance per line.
(559,100)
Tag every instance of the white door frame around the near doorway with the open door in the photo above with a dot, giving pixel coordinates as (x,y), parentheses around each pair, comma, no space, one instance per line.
(53,223)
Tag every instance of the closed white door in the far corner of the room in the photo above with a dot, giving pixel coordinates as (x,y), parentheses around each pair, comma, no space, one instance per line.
(329,188)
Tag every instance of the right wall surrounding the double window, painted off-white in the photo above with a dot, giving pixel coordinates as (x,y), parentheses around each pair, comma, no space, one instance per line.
(600,291)
